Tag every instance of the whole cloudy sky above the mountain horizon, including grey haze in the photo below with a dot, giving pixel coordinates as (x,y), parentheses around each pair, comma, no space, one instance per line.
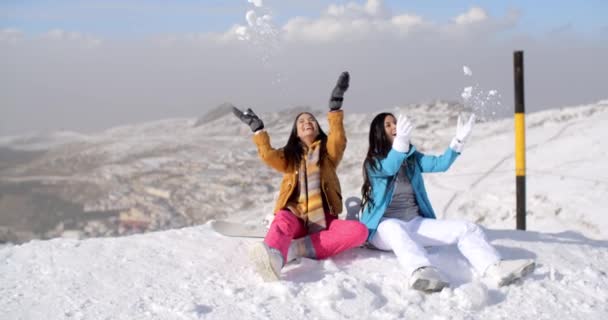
(89,65)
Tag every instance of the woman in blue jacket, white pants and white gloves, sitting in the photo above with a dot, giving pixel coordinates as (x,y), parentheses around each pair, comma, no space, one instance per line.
(400,218)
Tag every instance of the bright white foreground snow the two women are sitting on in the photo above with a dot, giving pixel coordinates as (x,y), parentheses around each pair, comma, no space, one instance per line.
(193,273)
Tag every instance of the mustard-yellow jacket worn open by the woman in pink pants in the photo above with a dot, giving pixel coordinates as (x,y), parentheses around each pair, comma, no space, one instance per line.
(330,185)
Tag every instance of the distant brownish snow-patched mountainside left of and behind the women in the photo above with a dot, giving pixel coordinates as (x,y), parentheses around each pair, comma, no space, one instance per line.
(155,176)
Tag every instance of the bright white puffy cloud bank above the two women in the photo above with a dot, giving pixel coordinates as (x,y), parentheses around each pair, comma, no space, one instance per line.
(355,22)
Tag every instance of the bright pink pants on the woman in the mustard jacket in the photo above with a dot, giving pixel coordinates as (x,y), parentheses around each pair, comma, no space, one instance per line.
(339,236)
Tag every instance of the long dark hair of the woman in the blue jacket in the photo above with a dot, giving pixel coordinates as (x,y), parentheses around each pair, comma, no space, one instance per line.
(379,147)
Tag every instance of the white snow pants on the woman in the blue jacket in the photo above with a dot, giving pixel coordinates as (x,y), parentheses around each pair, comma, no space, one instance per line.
(408,239)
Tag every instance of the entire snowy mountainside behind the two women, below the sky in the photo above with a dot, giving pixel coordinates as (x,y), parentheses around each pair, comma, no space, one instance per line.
(182,172)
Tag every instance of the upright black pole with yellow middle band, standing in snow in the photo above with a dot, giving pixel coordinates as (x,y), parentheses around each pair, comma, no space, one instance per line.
(520,140)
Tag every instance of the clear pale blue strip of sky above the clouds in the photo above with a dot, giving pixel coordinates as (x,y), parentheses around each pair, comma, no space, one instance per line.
(134,18)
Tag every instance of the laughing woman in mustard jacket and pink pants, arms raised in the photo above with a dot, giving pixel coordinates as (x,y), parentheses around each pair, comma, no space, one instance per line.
(309,198)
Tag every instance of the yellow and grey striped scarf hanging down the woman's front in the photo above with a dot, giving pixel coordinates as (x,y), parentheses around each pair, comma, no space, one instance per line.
(310,200)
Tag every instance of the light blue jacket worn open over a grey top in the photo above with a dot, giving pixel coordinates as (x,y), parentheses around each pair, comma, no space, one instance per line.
(382,181)
